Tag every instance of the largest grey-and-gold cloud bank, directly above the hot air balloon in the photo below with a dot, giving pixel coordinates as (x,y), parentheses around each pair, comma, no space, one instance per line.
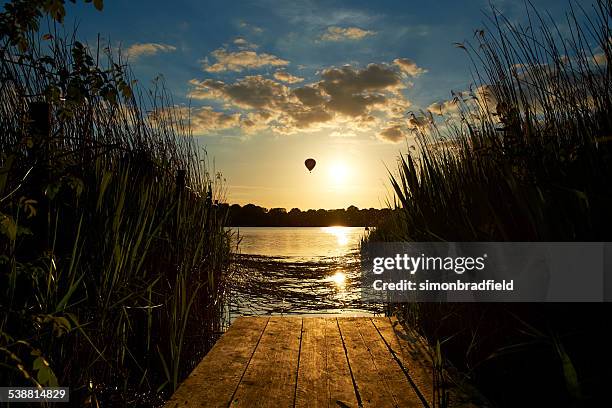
(351,98)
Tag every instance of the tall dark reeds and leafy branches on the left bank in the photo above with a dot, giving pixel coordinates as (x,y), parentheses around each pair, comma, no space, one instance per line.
(114,255)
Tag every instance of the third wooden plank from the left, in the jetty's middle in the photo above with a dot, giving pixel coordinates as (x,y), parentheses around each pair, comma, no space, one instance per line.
(324,378)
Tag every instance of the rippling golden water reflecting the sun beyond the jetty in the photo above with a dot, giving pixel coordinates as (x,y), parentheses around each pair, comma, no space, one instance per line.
(298,271)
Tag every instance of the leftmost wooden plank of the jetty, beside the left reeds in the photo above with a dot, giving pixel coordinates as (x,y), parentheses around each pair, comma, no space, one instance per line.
(213,381)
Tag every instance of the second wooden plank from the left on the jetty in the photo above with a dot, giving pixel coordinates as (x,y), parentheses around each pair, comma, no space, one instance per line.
(270,378)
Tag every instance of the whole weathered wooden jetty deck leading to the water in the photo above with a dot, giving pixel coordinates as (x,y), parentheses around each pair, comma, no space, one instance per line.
(311,362)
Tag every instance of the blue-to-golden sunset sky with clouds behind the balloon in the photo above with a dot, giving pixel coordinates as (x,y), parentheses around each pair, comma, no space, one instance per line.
(268,84)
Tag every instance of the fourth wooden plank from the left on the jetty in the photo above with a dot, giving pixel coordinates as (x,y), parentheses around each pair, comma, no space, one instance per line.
(379,379)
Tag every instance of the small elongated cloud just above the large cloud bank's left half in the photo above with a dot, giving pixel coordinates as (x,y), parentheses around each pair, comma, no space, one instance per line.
(240,60)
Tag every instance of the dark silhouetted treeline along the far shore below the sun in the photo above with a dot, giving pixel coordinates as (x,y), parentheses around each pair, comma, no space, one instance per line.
(252,215)
